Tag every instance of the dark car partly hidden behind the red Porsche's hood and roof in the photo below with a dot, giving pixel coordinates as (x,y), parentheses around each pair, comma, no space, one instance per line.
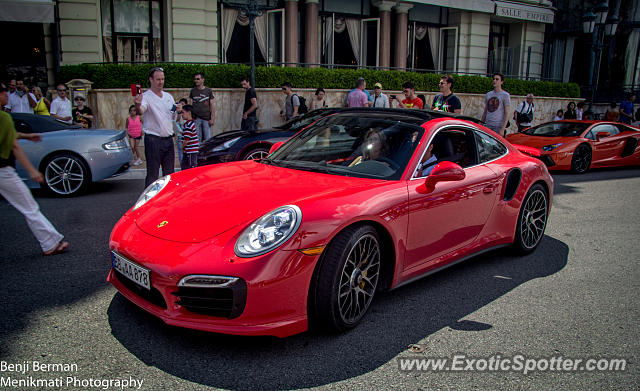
(248,145)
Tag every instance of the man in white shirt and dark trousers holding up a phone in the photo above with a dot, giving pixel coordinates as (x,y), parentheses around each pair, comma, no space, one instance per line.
(159,112)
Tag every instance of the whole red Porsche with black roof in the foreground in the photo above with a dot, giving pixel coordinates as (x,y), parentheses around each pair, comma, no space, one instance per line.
(359,201)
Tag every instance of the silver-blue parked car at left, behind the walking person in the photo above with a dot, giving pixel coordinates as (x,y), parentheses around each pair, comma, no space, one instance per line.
(69,156)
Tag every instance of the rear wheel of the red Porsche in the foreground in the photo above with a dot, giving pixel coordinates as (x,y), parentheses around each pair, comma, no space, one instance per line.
(532,220)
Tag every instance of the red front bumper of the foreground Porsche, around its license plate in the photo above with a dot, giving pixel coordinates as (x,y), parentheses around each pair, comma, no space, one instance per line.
(272,300)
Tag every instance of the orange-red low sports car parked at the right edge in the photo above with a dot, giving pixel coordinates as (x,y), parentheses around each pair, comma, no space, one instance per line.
(580,145)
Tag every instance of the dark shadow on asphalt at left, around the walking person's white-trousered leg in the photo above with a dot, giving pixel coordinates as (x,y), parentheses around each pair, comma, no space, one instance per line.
(30,282)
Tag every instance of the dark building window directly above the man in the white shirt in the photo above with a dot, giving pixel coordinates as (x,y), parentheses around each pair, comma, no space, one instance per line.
(131,30)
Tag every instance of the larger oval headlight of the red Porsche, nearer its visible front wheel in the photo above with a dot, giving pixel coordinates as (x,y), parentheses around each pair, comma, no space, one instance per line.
(268,232)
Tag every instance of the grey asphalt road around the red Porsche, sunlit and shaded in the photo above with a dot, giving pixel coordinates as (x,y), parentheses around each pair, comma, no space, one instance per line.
(576,296)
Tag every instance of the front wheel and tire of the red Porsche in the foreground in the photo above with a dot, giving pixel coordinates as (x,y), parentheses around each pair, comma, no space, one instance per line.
(345,279)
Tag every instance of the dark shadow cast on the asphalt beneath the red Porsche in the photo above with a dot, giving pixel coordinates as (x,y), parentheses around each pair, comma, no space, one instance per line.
(397,319)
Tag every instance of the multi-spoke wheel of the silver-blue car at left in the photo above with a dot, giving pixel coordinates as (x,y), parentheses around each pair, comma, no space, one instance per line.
(65,175)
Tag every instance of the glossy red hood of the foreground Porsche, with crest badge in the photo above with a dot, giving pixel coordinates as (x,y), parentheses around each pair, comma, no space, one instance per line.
(204,202)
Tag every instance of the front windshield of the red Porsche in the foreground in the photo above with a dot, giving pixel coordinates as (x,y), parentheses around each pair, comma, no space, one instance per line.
(350,145)
